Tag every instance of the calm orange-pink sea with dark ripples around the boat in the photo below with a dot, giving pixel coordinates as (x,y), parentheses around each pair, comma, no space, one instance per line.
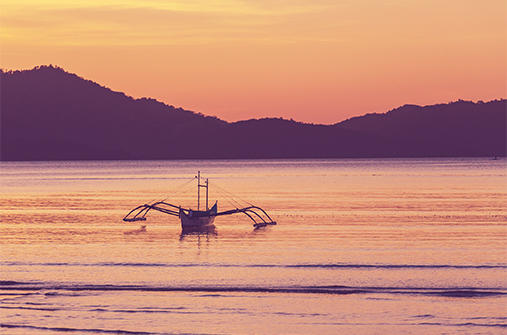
(390,246)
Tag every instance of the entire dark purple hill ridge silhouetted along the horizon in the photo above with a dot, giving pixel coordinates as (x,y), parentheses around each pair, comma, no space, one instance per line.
(50,114)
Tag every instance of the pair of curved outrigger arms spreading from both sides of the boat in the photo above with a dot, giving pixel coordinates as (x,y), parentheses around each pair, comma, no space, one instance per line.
(139,213)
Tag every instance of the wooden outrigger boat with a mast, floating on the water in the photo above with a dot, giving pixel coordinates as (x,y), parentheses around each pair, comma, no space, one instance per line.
(191,219)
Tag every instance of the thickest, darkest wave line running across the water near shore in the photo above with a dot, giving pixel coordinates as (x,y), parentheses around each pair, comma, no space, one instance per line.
(456,292)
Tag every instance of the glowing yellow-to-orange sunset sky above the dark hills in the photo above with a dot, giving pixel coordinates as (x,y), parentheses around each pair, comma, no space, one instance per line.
(314,61)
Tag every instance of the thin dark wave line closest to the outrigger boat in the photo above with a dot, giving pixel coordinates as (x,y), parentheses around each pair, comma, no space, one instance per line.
(218,265)
